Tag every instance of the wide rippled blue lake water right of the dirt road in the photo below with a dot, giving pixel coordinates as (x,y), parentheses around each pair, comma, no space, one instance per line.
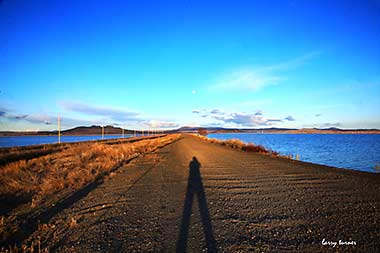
(352,151)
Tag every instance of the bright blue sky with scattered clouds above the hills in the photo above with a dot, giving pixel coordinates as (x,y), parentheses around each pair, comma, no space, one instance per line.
(165,64)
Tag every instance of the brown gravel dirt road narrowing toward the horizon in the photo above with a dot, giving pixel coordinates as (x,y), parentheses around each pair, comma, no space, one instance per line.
(196,196)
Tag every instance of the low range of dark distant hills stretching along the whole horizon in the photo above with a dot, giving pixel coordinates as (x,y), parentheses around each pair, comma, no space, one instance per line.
(97,130)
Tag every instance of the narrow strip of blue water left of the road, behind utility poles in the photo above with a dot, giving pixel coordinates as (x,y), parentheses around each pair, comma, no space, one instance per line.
(13,141)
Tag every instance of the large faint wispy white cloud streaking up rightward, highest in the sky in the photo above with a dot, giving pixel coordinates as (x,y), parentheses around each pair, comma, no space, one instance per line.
(254,79)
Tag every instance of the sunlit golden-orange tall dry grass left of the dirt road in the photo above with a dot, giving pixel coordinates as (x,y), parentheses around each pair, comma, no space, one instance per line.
(36,178)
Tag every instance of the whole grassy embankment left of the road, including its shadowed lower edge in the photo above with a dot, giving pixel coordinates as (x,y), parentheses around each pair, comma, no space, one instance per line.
(34,180)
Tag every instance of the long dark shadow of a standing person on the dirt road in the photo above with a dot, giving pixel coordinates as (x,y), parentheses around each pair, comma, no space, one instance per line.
(195,187)
